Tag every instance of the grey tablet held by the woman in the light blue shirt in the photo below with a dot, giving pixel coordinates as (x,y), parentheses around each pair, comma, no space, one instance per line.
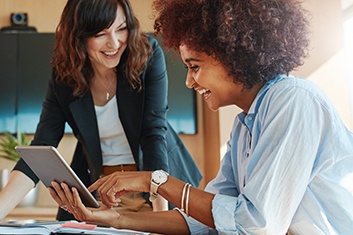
(48,164)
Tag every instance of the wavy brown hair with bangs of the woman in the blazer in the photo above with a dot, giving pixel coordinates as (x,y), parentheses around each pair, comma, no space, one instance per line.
(82,19)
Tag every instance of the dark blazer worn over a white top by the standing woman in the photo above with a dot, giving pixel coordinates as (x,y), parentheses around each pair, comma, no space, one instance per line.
(153,142)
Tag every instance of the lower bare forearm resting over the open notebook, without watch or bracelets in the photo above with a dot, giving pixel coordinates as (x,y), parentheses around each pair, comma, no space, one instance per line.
(164,222)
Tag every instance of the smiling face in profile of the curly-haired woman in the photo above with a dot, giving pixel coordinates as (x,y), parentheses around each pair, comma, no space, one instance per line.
(210,79)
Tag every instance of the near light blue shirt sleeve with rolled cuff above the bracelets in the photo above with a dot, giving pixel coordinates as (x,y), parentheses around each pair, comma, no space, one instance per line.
(285,140)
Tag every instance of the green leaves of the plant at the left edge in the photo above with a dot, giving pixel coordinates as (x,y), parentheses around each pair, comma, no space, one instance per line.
(8,142)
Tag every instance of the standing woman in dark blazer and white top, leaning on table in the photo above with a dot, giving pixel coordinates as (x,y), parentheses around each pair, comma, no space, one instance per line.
(109,85)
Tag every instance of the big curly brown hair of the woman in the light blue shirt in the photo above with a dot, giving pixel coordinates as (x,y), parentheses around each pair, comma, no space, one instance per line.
(254,39)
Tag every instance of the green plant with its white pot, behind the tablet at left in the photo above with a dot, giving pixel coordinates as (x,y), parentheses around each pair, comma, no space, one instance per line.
(8,142)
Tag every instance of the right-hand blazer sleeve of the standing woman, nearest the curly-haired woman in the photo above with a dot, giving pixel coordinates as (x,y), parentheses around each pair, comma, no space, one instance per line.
(154,123)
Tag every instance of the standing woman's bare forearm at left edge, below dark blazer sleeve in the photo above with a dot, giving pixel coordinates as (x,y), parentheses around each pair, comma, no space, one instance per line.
(14,191)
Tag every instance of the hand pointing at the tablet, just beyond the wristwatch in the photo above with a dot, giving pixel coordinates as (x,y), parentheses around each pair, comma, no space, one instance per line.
(113,186)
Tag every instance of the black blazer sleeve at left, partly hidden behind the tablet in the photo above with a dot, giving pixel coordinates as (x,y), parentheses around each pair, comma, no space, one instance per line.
(50,128)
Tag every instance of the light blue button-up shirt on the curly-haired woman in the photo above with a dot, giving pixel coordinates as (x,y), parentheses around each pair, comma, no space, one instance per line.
(288,166)
